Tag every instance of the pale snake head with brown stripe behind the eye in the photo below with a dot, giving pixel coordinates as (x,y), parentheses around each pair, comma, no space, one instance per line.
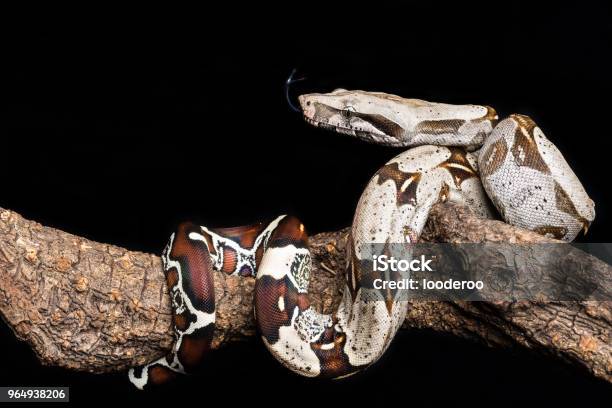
(369,116)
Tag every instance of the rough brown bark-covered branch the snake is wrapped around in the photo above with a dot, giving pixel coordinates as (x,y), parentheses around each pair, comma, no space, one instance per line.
(95,307)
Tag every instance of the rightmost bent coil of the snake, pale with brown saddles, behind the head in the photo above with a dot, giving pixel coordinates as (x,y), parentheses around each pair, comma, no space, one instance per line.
(530,182)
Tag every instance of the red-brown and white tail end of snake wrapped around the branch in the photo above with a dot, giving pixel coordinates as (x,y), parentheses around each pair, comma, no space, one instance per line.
(225,253)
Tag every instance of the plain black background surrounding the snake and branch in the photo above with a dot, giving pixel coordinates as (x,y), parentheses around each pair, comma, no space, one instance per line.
(116,127)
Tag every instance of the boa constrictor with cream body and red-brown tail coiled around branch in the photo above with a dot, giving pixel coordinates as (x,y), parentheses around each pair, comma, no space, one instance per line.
(526,177)
